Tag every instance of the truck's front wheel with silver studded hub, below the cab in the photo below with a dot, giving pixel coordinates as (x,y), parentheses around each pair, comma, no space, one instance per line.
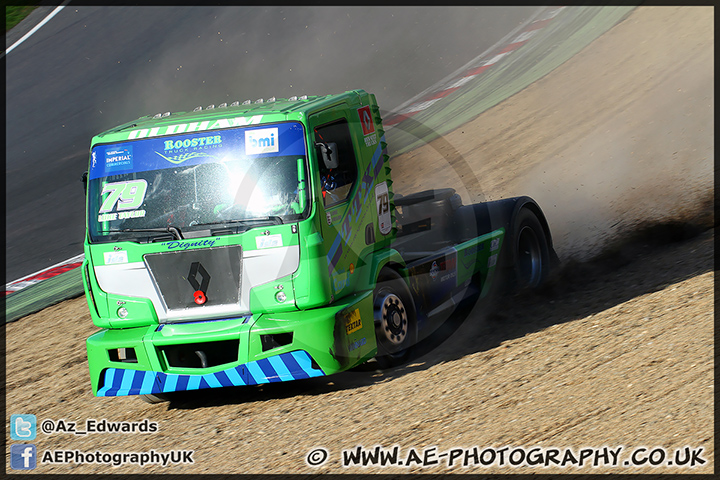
(395,320)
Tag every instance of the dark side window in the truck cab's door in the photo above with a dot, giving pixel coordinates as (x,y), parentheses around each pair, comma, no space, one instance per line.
(336,180)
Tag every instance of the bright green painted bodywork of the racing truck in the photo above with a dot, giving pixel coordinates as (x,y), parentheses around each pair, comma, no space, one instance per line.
(328,308)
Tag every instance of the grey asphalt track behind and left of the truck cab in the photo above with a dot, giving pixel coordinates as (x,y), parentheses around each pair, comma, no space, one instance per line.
(91,68)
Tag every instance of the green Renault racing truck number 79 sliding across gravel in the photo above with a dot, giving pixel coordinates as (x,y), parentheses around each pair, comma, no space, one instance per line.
(262,242)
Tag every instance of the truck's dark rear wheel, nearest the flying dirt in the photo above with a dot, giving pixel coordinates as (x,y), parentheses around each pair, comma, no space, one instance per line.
(530,253)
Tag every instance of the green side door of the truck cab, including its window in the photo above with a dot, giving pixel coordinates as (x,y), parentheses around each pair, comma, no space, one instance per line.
(338,180)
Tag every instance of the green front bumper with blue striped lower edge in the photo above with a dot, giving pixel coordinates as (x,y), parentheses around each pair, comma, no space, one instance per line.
(312,343)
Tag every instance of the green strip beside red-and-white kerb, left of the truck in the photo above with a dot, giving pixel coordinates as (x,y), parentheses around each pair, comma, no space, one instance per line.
(44,294)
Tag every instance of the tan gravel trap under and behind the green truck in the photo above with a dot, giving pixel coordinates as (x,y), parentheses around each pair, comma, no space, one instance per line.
(615,352)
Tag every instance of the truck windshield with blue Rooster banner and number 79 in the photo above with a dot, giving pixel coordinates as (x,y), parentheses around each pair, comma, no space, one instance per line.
(197,181)
